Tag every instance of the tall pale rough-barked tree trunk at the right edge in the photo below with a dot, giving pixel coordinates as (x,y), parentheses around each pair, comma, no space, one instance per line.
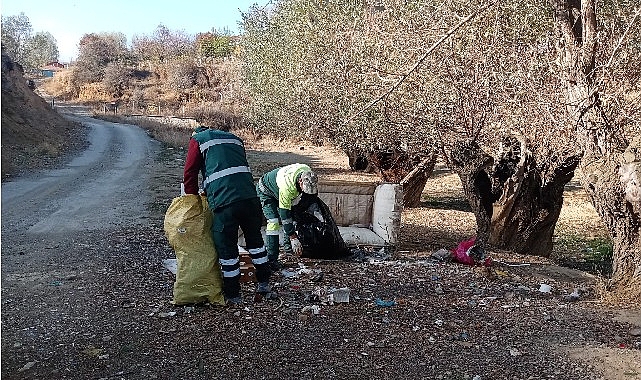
(610,171)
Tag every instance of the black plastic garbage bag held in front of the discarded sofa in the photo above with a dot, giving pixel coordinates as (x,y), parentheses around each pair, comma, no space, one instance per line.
(317,230)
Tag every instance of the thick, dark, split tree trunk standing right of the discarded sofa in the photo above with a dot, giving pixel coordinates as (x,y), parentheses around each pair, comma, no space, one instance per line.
(515,208)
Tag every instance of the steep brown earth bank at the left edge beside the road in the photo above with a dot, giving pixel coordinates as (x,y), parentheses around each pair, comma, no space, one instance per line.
(34,135)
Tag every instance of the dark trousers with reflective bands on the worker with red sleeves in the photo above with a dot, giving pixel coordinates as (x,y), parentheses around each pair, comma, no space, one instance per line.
(245,214)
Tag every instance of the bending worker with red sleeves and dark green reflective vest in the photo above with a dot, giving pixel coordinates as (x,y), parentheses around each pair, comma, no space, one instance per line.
(231,194)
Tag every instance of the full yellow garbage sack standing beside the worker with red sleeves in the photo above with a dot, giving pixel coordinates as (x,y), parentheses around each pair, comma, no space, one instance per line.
(188,229)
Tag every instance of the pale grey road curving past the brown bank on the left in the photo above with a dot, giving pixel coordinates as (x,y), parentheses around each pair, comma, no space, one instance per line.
(100,188)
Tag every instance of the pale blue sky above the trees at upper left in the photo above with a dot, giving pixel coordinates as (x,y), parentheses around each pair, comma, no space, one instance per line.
(69,20)
